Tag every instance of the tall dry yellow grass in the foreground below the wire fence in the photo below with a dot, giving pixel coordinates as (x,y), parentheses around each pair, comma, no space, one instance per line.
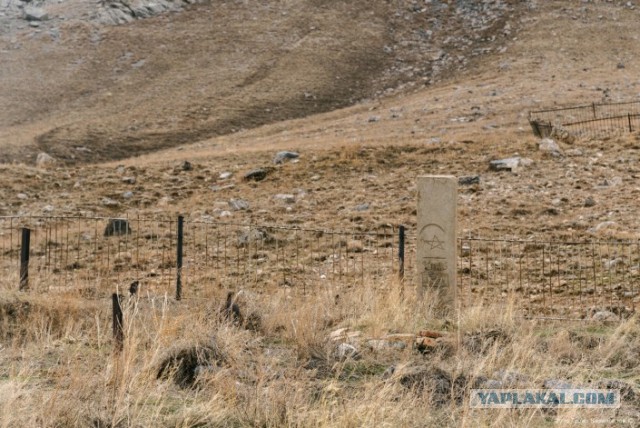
(65,372)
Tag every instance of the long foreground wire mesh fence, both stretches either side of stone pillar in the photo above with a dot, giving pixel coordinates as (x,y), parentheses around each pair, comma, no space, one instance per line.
(194,259)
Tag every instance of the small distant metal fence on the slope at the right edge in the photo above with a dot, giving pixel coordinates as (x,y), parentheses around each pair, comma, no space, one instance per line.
(591,120)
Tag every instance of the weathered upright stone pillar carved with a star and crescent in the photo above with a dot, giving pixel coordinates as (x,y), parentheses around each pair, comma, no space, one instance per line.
(436,264)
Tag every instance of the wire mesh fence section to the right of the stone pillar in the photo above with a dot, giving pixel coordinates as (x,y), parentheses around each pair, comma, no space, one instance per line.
(577,280)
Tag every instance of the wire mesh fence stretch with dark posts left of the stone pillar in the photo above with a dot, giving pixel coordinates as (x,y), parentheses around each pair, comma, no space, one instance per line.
(94,255)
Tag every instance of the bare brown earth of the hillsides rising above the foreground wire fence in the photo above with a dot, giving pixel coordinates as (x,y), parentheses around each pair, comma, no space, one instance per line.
(368,153)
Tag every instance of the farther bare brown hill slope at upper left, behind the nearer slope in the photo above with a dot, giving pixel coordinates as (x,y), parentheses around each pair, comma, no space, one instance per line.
(83,90)
